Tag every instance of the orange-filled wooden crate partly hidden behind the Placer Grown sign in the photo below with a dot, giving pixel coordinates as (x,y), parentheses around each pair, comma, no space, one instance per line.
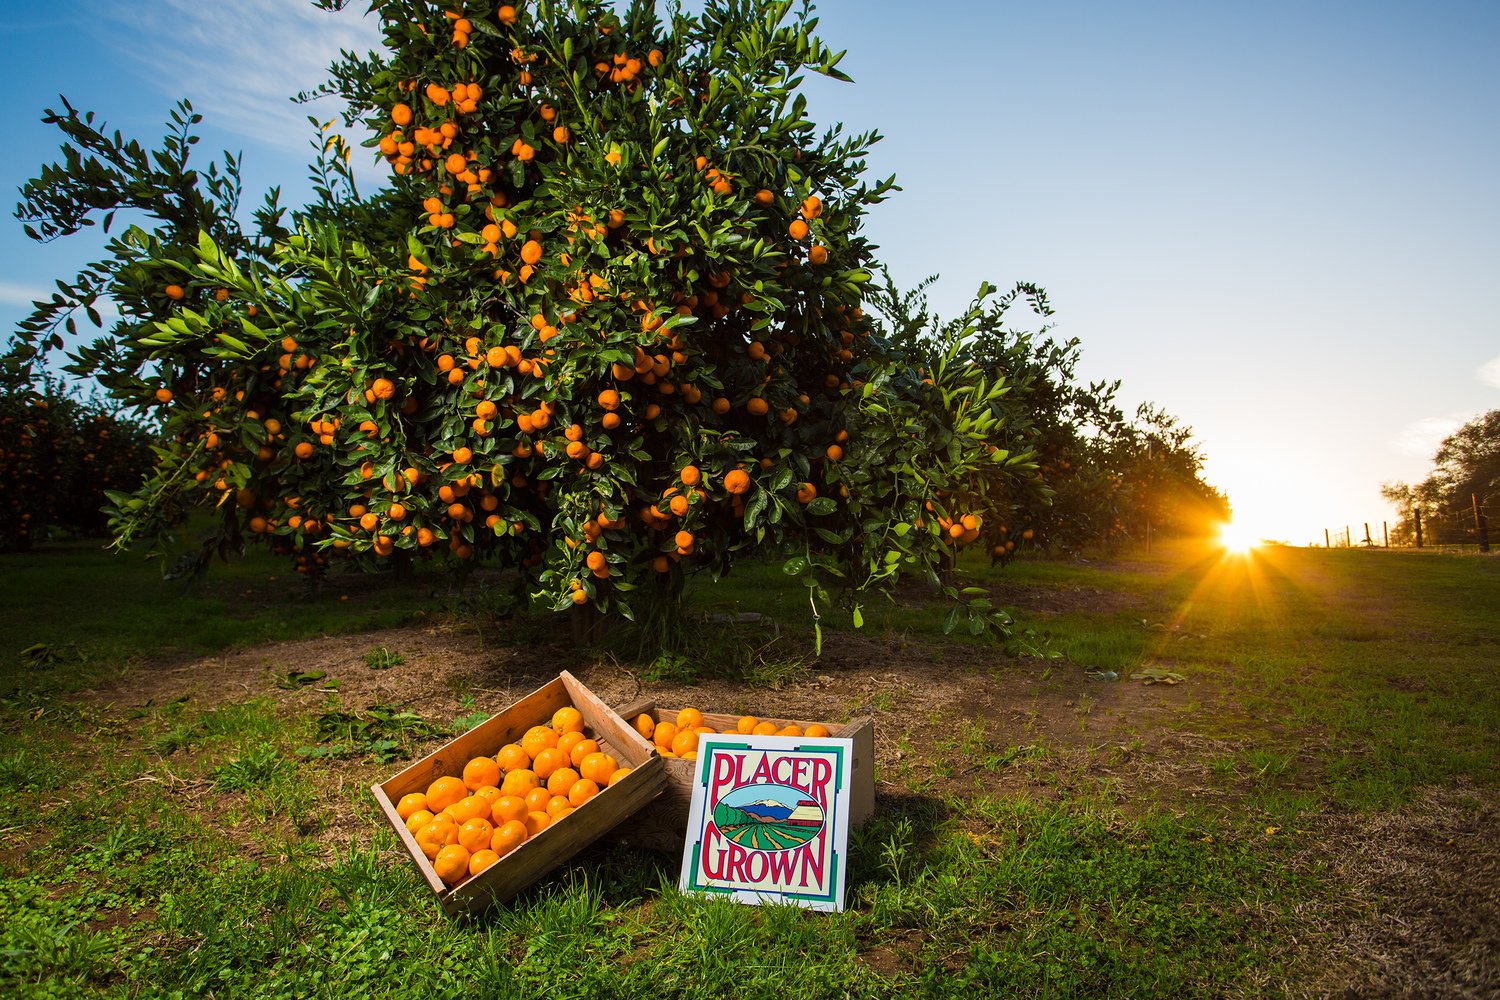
(676,732)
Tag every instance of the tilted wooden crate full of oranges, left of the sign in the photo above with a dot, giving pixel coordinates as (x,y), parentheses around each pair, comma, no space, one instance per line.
(499,807)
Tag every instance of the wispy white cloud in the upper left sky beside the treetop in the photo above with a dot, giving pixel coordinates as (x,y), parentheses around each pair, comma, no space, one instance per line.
(241,62)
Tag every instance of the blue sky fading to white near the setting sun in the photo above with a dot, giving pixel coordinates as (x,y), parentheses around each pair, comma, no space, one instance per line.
(1279,221)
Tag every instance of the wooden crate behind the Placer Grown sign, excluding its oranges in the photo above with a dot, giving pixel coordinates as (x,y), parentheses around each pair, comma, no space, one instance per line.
(664,824)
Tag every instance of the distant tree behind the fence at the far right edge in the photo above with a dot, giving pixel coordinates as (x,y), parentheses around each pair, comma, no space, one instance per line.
(1465,470)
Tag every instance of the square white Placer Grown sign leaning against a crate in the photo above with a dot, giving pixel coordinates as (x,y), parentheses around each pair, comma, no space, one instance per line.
(770,821)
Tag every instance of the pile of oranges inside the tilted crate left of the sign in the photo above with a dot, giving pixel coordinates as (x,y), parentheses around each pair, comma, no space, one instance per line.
(466,824)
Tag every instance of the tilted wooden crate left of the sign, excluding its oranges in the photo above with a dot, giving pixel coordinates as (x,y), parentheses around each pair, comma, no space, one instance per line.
(551,848)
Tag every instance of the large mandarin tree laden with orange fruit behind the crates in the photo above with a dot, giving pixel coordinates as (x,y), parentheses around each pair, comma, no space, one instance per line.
(605,323)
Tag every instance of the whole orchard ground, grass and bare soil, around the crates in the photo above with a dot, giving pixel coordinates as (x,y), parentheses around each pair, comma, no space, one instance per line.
(1307,810)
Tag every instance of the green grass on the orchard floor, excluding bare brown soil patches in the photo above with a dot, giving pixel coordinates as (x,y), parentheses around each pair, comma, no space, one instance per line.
(185,851)
